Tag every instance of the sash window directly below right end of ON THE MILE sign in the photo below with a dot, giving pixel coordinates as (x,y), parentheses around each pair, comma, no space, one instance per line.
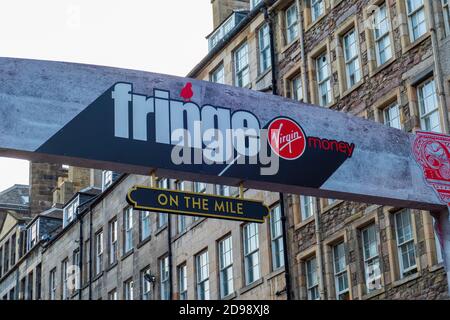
(251,253)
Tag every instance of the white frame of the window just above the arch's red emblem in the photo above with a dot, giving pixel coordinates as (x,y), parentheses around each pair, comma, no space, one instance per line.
(425,115)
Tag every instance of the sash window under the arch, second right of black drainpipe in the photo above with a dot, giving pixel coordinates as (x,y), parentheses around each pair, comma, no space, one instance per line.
(340,272)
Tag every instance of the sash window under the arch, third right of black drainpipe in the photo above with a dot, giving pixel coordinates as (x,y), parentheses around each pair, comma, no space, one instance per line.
(371,259)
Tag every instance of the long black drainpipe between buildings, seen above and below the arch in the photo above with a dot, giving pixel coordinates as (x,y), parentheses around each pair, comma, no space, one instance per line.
(281,195)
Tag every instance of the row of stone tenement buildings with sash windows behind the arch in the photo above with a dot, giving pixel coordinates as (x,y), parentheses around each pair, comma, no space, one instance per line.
(384,60)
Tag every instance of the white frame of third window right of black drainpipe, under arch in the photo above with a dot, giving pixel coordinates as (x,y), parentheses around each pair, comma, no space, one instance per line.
(371,259)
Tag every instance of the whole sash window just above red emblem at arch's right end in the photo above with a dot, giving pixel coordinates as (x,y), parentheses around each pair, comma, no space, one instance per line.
(428,107)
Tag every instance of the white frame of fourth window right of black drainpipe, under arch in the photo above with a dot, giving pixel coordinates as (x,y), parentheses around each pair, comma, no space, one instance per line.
(405,243)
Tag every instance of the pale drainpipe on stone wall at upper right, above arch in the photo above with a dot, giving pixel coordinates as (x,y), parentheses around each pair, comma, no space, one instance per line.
(437,67)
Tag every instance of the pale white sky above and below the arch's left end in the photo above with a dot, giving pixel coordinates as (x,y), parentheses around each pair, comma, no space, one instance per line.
(159,36)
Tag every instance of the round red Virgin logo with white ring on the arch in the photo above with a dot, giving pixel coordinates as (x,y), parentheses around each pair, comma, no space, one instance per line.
(286,138)
